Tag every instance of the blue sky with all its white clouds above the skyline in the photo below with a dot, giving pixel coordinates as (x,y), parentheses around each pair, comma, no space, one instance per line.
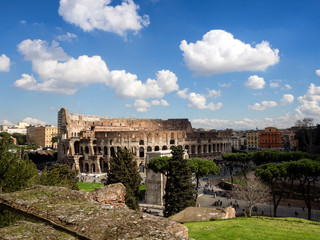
(222,64)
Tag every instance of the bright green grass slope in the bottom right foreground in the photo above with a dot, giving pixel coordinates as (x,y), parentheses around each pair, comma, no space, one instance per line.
(258,228)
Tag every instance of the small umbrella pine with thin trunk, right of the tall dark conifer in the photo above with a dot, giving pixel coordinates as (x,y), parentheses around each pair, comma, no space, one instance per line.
(202,167)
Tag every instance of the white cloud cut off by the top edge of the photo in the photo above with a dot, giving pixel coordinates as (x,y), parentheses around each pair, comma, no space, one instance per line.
(99,14)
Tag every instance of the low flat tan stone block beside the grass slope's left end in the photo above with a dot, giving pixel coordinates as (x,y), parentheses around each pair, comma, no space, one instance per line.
(193,214)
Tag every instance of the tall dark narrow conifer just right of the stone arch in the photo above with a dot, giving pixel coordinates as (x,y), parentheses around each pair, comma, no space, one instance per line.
(179,188)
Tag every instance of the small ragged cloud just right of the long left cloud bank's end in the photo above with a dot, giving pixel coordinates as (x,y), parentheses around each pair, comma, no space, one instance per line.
(197,100)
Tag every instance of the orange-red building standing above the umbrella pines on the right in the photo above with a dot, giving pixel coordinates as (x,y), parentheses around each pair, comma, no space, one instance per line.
(271,137)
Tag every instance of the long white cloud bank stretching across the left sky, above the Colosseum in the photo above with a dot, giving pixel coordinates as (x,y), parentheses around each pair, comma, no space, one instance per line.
(62,74)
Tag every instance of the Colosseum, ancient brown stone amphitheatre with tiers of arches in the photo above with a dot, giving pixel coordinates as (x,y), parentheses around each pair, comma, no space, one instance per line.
(87,143)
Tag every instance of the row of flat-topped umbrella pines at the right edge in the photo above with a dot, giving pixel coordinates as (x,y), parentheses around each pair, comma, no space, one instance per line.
(281,170)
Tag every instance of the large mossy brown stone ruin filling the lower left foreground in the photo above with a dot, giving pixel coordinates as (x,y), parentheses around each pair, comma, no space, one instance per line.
(81,214)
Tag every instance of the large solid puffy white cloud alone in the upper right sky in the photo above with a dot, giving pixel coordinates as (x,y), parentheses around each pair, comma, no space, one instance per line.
(220,52)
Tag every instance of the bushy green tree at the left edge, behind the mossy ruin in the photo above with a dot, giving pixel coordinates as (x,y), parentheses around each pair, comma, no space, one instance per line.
(15,173)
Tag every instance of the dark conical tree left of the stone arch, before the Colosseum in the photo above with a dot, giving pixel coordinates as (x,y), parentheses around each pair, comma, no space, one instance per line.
(124,169)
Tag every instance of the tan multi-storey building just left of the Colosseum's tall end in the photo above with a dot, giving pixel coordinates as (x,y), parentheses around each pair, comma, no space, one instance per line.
(42,135)
